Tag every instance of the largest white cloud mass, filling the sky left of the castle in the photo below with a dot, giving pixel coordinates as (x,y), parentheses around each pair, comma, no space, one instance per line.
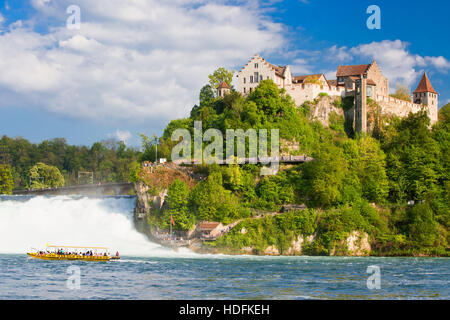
(133,60)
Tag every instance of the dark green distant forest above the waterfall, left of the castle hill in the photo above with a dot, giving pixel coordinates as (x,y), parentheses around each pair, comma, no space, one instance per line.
(108,161)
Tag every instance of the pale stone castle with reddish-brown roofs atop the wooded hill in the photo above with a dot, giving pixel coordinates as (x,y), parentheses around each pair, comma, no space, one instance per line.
(355,81)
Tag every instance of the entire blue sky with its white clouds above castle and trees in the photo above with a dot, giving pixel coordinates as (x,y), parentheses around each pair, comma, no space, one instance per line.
(133,66)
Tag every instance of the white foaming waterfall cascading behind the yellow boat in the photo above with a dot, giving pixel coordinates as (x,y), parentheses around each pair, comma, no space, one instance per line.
(62,220)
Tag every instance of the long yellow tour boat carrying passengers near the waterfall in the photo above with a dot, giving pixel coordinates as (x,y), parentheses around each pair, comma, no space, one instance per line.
(82,253)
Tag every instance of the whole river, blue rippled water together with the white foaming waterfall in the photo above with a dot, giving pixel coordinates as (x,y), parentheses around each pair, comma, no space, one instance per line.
(148,271)
